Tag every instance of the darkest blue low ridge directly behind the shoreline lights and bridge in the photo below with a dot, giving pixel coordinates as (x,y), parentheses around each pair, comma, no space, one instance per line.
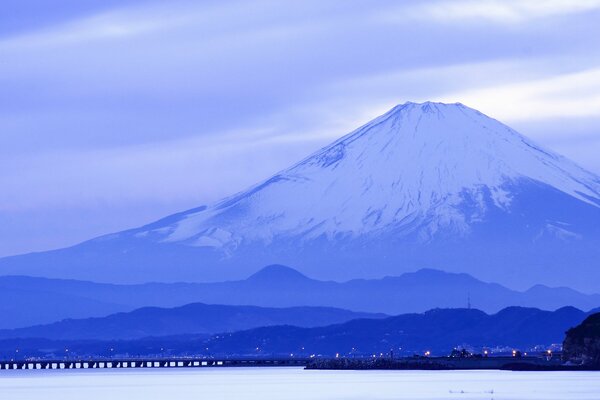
(437,331)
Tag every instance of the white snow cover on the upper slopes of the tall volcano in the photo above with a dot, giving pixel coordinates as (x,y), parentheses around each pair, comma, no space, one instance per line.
(407,171)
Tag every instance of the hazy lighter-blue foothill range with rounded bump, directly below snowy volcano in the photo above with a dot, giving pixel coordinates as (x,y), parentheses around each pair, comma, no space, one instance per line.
(33,301)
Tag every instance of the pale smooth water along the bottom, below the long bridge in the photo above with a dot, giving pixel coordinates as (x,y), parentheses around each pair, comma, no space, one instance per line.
(296,383)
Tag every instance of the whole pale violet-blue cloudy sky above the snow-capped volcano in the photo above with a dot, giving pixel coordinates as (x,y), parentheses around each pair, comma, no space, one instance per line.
(115,113)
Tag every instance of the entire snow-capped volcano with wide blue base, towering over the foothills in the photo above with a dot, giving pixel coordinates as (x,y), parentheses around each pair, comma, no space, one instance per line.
(426,185)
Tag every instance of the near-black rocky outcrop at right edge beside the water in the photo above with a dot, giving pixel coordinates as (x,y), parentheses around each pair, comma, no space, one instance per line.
(582,343)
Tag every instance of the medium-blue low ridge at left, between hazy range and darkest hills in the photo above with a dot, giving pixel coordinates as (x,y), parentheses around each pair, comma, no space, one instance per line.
(196,318)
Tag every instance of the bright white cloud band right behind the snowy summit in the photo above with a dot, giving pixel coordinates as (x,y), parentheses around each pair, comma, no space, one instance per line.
(509,89)
